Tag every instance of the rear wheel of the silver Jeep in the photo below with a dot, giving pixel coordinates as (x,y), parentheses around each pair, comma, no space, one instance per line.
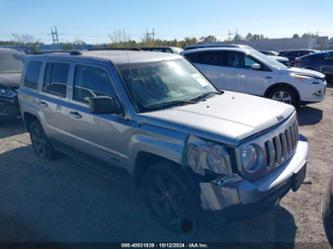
(40,142)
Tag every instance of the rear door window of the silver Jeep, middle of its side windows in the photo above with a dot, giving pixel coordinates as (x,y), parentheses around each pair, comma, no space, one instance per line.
(55,79)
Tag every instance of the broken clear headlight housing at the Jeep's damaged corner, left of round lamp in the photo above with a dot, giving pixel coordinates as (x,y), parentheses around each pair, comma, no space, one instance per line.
(203,155)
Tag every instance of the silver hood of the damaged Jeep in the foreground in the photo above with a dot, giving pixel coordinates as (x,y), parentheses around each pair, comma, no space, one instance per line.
(229,118)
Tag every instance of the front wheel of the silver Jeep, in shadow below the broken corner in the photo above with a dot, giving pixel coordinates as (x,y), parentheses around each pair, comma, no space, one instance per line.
(170,199)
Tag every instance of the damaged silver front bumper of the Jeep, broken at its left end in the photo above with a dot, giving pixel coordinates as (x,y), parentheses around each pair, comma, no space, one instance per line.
(234,192)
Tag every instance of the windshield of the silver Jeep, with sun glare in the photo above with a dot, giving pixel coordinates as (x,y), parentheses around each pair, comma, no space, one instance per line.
(158,85)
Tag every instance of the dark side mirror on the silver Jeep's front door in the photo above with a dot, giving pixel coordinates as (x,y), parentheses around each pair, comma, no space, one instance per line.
(105,105)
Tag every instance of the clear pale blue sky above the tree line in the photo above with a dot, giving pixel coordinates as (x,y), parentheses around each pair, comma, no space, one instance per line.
(93,20)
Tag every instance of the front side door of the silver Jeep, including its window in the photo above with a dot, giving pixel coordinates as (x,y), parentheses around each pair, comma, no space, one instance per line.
(101,135)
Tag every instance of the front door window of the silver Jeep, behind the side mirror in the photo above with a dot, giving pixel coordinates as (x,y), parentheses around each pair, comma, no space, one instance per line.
(91,82)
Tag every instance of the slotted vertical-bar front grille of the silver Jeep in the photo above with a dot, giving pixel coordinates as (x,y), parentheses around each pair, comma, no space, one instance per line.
(283,146)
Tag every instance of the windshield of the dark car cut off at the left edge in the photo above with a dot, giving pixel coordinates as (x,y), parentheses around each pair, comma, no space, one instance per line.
(8,62)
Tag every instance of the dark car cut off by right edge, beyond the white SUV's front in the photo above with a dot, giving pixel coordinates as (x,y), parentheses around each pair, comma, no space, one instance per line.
(321,62)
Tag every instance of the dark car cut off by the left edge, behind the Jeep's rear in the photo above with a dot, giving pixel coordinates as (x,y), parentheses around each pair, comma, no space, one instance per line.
(10,76)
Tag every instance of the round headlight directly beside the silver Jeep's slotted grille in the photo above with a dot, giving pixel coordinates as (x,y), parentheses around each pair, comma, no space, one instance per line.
(252,158)
